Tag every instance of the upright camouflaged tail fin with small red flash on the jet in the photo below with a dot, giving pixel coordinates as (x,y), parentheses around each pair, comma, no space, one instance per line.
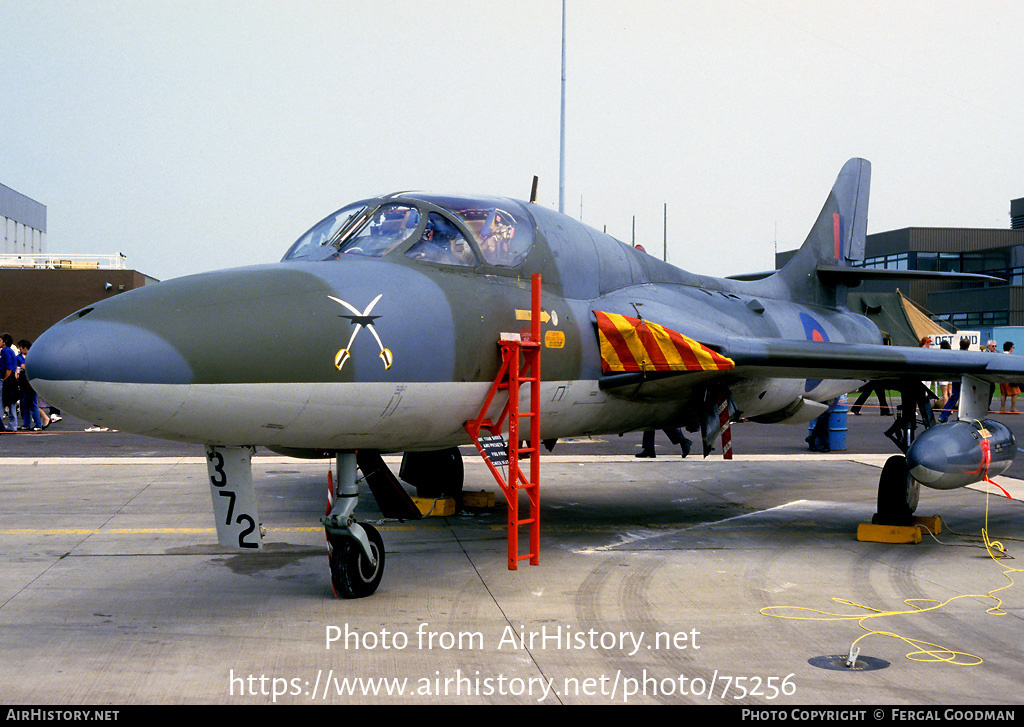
(836,242)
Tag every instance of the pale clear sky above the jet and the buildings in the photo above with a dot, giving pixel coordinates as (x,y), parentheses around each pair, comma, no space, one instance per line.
(198,136)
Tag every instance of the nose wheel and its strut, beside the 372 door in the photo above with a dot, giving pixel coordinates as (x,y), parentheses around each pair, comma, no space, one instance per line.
(356,551)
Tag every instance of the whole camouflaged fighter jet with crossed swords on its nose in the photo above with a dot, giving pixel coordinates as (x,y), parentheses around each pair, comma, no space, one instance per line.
(379,332)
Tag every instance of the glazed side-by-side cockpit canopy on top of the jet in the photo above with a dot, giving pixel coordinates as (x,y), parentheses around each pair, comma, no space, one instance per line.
(448,231)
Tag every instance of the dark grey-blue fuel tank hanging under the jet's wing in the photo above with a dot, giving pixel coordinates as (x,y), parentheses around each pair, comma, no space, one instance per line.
(958,454)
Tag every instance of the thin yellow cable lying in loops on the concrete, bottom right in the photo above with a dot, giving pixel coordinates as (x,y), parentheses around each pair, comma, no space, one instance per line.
(924,652)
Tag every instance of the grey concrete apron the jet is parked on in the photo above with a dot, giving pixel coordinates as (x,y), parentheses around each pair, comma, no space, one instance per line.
(665,581)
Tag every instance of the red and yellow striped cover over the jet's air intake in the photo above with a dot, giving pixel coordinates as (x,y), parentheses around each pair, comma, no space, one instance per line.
(633,346)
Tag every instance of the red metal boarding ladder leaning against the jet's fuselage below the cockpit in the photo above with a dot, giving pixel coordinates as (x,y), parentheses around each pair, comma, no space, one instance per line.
(511,376)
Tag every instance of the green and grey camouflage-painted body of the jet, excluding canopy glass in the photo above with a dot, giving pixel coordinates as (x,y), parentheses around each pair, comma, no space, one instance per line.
(248,357)
